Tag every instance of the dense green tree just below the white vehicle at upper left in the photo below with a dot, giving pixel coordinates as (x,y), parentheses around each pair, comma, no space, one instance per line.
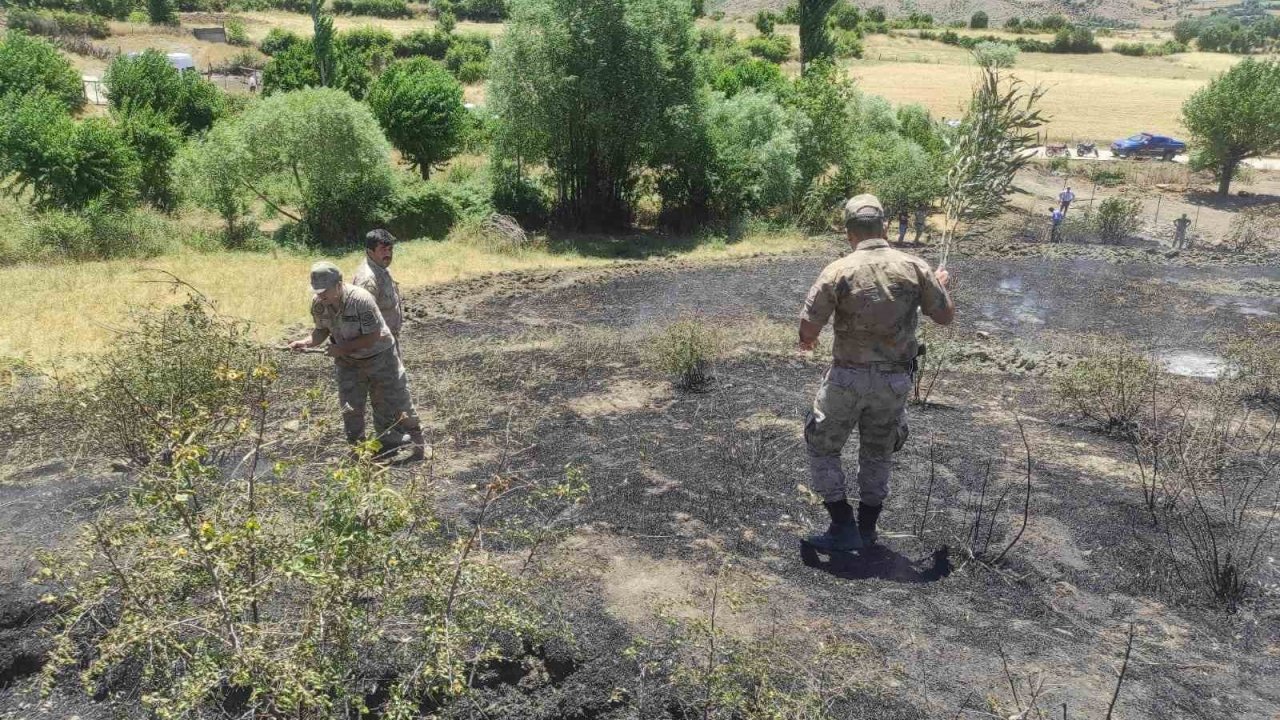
(148,81)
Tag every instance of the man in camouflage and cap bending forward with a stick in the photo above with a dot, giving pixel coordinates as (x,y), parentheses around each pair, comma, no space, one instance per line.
(365,361)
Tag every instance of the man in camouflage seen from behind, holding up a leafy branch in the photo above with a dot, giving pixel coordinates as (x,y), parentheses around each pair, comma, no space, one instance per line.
(874,294)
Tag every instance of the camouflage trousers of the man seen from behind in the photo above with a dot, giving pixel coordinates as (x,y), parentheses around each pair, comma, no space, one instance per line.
(875,403)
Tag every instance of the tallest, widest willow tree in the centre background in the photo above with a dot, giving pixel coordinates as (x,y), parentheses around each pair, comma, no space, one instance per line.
(591,88)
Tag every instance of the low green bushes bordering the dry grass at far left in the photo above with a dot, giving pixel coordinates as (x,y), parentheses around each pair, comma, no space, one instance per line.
(99,233)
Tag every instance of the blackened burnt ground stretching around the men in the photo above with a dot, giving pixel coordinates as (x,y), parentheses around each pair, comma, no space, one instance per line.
(551,371)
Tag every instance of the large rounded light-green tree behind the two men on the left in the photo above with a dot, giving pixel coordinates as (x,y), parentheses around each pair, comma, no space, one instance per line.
(317,157)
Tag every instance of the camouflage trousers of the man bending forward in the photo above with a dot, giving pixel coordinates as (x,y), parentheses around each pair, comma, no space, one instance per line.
(381,380)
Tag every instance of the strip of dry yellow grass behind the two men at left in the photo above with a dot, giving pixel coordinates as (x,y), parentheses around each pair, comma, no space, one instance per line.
(74,309)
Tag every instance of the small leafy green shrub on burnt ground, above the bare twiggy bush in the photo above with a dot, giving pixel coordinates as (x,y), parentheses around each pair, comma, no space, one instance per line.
(1110,389)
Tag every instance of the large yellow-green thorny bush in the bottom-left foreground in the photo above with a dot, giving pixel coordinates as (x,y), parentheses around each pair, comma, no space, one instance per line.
(227,590)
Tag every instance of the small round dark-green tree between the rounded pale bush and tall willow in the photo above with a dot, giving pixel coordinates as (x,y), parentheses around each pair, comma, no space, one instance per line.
(420,107)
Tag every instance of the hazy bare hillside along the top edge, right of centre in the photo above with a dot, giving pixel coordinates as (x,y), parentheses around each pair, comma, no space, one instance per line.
(1150,13)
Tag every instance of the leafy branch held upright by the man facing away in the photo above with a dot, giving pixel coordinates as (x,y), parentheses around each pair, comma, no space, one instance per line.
(995,140)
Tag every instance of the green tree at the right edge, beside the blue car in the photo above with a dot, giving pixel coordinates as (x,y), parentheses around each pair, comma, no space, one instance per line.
(1235,119)
